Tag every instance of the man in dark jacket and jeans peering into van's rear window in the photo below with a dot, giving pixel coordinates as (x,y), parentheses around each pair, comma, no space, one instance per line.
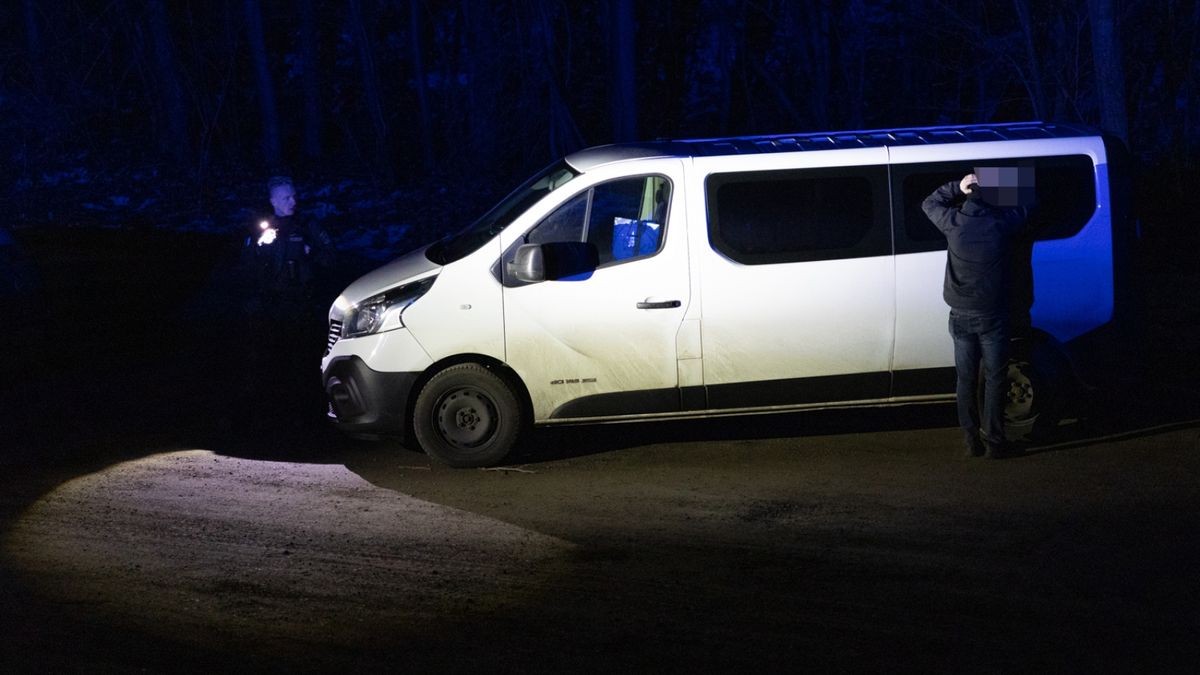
(979,285)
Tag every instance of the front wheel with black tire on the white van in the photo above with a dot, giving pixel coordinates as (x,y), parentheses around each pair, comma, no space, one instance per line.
(467,416)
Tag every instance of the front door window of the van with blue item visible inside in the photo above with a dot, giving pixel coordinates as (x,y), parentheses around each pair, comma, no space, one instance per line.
(623,219)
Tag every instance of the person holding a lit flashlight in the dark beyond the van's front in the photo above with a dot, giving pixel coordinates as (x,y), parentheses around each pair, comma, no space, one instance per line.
(284,262)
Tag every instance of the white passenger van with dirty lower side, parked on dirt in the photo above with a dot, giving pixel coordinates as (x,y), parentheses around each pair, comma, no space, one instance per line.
(713,277)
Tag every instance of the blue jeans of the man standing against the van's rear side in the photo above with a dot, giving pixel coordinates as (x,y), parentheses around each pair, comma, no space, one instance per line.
(981,337)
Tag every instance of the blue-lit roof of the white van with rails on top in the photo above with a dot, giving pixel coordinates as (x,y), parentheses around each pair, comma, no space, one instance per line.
(592,158)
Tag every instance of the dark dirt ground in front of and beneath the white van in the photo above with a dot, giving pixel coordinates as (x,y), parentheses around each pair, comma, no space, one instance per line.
(749,547)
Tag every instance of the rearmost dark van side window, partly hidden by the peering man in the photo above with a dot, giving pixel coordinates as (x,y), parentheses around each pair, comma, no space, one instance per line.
(1066,198)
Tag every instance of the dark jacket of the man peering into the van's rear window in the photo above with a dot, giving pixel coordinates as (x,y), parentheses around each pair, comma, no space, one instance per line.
(981,247)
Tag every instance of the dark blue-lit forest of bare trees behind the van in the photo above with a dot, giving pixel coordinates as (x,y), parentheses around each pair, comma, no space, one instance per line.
(405,120)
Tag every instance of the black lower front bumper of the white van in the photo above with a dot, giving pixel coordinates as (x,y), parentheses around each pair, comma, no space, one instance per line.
(368,403)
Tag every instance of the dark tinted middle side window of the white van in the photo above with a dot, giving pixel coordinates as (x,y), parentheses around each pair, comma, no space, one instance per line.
(787,217)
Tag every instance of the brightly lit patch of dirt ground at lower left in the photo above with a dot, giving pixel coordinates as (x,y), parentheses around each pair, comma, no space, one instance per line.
(191,541)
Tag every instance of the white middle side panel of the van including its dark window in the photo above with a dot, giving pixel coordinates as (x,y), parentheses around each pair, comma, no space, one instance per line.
(809,315)
